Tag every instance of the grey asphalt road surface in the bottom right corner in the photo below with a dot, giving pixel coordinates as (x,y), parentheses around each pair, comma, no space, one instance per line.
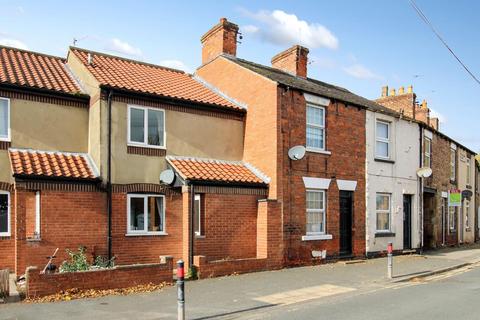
(454,295)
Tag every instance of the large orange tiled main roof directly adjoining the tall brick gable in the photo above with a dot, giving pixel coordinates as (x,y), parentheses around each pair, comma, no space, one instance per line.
(147,78)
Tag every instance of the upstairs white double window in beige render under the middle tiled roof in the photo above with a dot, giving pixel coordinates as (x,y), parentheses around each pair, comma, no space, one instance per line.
(146,127)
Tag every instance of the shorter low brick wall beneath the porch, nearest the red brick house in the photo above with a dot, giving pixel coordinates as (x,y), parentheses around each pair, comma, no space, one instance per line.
(218,268)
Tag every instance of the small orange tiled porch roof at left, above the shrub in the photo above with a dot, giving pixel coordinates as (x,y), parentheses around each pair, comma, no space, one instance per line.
(47,164)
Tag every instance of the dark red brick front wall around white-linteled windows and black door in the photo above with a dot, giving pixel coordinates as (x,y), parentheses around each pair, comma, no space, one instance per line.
(345,139)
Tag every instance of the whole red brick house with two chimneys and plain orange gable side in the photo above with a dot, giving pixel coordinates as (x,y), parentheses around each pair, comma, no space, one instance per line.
(323,194)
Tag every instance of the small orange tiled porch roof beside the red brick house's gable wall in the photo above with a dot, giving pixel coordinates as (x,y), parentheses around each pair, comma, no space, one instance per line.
(216,170)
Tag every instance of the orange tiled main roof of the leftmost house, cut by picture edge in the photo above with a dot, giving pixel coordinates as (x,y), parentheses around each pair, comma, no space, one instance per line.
(30,69)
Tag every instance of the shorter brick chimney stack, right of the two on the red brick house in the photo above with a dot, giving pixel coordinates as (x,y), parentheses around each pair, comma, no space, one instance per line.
(293,60)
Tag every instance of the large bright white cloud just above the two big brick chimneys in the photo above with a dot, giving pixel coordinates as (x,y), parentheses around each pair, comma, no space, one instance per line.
(283,28)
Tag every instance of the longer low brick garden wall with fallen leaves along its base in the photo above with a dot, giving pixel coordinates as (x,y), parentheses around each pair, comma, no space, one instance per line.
(39,285)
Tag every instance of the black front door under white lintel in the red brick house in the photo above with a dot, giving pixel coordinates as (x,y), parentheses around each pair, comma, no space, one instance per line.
(346,215)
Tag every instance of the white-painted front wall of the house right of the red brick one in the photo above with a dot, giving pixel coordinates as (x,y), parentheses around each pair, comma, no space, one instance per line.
(397,178)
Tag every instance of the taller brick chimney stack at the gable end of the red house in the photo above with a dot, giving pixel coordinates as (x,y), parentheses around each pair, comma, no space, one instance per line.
(222,38)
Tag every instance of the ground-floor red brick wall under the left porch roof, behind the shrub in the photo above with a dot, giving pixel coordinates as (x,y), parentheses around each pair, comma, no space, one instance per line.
(67,219)
